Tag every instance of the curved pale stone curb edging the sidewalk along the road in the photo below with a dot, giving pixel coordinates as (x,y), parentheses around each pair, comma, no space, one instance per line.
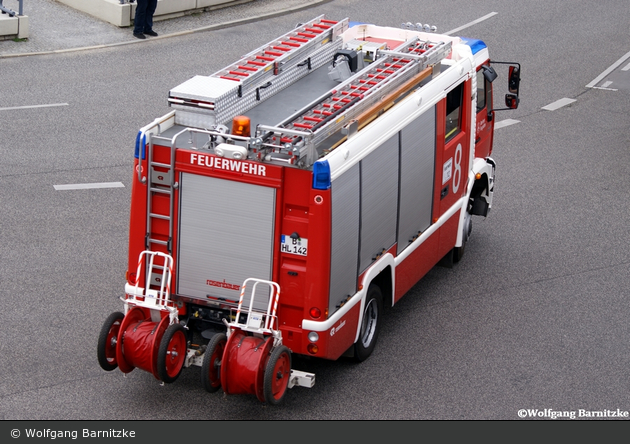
(175,34)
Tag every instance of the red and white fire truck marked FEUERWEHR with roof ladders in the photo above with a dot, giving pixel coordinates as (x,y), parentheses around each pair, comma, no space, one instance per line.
(286,199)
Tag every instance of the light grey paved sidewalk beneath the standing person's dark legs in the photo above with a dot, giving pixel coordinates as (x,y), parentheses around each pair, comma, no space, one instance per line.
(55,27)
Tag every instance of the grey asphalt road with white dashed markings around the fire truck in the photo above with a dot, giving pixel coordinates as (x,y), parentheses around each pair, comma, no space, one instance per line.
(534,317)
